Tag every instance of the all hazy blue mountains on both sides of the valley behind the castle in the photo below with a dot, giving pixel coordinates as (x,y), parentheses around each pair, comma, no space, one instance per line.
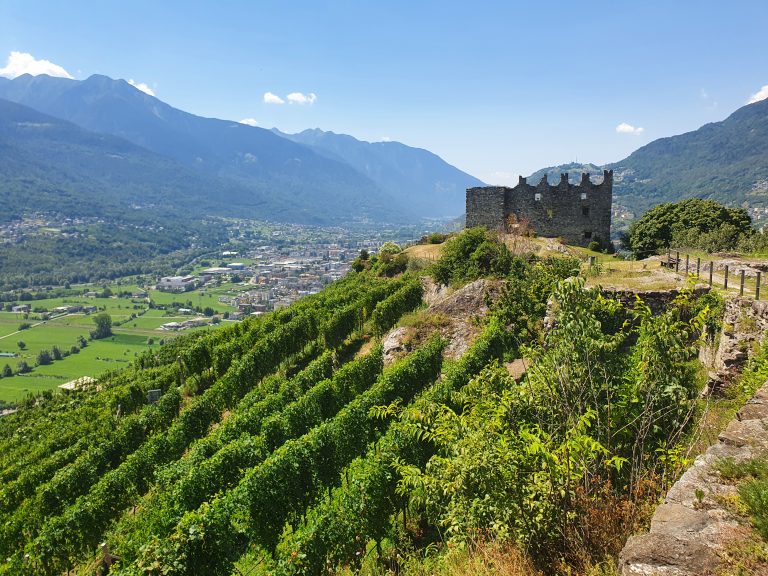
(101,146)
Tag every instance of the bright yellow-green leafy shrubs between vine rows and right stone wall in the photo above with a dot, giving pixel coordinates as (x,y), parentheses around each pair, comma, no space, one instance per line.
(512,458)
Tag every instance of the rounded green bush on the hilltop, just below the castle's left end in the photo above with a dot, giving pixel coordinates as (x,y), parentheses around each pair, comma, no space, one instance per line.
(470,255)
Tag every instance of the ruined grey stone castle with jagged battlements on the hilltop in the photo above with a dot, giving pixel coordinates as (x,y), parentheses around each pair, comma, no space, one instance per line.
(577,213)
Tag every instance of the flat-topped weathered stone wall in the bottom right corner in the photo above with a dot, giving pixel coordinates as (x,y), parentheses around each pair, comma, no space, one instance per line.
(691,531)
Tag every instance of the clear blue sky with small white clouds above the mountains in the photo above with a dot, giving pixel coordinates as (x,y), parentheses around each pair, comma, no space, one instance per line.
(495,88)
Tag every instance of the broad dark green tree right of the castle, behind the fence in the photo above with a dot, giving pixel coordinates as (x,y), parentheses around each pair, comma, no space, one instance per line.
(693,223)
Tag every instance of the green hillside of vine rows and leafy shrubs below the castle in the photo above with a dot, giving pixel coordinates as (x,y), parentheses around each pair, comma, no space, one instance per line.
(285,445)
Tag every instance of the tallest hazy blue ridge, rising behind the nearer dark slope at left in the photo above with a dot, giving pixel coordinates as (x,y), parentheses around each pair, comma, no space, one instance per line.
(286,181)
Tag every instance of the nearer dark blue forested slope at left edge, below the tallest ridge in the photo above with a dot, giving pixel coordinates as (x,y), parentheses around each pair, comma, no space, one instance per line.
(49,164)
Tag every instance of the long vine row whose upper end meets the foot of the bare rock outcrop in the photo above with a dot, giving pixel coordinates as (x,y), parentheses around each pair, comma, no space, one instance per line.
(211,538)
